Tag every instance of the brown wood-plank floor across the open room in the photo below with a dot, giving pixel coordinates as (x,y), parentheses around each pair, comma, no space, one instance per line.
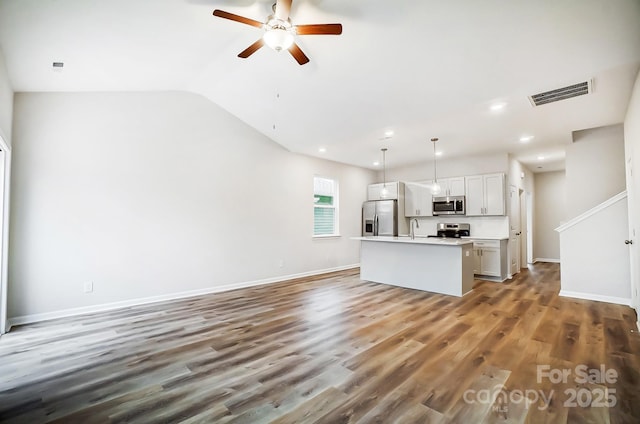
(332,349)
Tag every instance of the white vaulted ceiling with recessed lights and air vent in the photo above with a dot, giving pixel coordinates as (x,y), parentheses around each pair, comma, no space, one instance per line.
(419,68)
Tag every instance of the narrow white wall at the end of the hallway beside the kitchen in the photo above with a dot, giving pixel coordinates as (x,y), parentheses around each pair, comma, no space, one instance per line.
(550,207)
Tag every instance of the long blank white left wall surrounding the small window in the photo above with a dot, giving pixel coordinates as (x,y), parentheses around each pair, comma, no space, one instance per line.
(149,194)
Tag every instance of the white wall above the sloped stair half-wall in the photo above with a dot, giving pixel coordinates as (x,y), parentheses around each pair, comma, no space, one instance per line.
(594,168)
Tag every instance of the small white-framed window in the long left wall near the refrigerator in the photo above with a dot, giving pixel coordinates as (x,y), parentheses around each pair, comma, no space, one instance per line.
(325,207)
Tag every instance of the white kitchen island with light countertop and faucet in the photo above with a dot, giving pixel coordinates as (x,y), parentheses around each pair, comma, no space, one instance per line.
(439,265)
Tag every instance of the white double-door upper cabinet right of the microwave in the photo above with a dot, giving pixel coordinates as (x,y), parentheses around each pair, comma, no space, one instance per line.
(485,195)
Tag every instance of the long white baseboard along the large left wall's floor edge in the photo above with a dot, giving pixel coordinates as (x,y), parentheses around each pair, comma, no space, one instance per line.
(29,319)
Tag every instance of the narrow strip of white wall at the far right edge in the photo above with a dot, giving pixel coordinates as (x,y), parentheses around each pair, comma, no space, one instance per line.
(632,152)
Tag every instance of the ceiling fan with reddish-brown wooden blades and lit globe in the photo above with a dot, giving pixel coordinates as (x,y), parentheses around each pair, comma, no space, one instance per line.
(279,31)
